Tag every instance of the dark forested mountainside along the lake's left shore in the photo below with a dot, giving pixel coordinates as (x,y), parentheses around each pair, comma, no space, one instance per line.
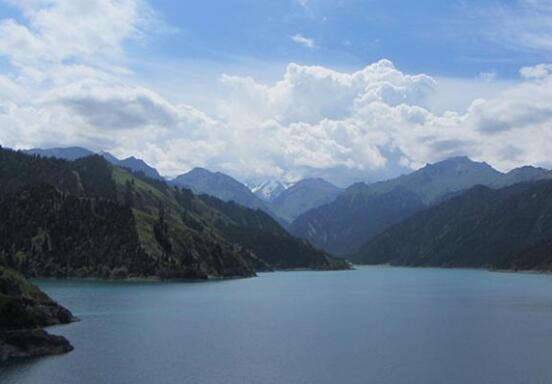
(89,218)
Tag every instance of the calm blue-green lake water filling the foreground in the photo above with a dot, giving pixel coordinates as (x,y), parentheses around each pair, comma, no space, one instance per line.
(372,325)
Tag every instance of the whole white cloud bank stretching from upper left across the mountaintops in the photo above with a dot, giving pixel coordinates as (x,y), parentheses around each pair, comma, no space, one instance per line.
(72,87)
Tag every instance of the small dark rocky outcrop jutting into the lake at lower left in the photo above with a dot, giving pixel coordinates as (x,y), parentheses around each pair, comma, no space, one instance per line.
(24,310)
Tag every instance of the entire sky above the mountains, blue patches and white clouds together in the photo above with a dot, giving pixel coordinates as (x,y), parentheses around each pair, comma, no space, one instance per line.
(348,90)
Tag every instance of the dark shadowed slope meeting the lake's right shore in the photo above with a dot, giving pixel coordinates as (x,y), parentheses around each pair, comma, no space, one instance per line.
(508,228)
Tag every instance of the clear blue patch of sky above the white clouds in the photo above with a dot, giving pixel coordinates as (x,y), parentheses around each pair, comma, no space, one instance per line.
(451,40)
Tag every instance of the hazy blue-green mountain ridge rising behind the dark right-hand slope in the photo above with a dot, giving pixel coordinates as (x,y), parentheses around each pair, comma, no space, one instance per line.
(362,211)
